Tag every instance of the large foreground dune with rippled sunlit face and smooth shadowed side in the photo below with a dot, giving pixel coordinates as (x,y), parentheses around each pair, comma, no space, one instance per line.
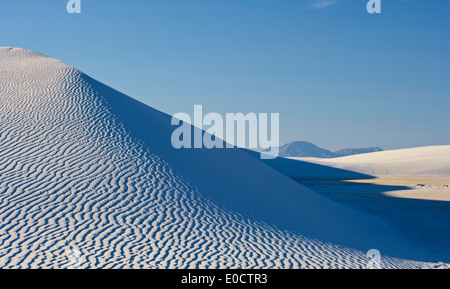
(85,167)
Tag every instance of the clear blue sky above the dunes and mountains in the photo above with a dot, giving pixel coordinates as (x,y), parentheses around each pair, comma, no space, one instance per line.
(338,76)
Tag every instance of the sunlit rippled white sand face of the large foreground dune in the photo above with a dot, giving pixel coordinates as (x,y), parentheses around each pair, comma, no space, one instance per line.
(73,178)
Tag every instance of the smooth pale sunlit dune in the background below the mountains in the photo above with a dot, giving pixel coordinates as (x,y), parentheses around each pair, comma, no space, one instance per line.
(430,161)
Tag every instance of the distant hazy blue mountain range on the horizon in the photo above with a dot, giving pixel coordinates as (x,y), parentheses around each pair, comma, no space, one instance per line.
(307,149)
